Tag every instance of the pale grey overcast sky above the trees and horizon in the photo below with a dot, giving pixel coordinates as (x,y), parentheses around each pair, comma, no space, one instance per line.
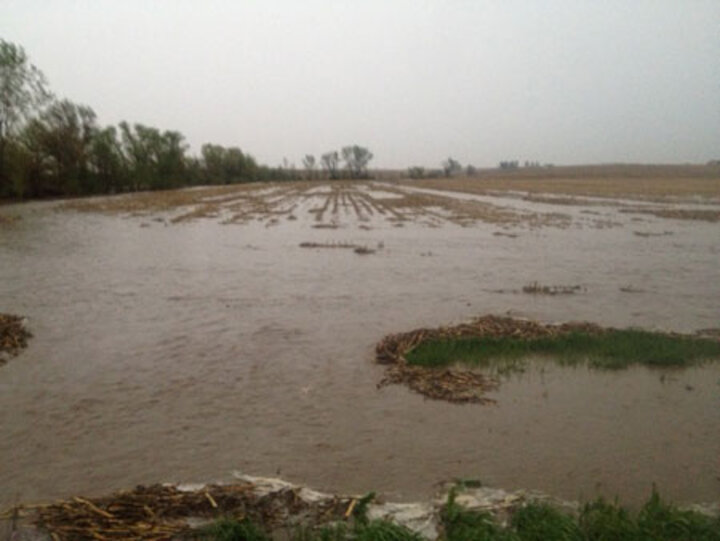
(559,81)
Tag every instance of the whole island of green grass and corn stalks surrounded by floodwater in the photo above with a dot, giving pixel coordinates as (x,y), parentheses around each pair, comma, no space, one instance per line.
(426,360)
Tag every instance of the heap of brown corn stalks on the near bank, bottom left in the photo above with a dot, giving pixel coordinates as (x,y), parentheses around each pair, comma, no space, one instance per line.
(161,512)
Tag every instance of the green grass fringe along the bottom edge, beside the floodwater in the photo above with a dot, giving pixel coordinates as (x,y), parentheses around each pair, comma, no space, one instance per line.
(596,521)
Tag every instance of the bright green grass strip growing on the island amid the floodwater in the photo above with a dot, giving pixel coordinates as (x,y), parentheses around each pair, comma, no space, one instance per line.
(610,349)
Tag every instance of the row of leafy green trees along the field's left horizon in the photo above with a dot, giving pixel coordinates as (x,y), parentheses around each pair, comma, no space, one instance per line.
(55,147)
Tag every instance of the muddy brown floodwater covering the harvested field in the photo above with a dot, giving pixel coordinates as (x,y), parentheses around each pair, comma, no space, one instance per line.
(184,352)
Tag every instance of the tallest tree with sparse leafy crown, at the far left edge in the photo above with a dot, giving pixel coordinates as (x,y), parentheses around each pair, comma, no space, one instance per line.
(22,92)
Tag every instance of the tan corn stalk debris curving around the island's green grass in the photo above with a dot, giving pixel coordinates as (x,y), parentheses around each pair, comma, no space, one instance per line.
(459,386)
